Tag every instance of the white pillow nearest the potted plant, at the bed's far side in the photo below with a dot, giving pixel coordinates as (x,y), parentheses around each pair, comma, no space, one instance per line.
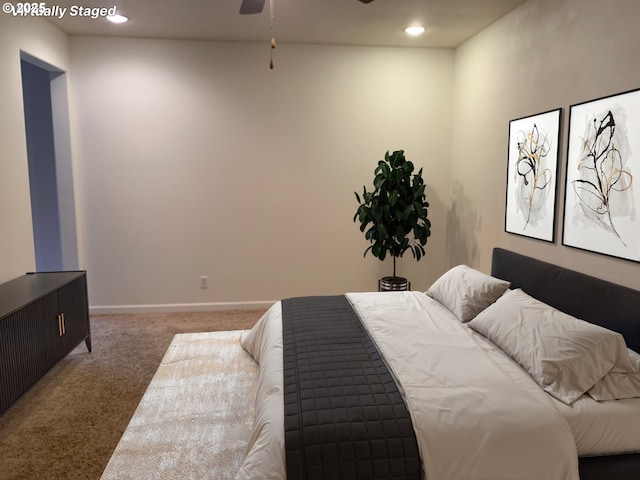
(466,292)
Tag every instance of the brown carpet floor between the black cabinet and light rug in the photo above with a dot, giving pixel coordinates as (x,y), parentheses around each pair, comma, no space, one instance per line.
(68,424)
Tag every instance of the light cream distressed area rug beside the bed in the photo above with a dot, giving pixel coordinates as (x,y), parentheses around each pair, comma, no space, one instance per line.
(195,417)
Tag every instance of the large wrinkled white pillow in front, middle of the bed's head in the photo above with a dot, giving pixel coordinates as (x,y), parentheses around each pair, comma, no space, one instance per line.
(564,355)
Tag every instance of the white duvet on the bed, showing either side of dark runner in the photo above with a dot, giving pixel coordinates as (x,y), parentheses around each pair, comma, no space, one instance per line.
(472,421)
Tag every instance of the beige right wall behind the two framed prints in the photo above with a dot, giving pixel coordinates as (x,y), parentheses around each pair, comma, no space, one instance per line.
(544,55)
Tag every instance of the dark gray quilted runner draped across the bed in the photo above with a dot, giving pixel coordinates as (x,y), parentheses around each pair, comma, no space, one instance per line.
(344,416)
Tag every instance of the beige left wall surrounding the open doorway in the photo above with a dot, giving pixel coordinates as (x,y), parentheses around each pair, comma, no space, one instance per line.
(44,41)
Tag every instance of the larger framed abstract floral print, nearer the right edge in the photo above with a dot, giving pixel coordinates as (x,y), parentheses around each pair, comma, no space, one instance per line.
(602,194)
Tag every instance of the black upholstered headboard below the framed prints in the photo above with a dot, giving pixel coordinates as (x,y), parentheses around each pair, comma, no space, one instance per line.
(589,298)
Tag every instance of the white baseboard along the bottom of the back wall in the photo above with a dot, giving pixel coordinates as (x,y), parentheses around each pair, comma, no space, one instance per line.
(179,307)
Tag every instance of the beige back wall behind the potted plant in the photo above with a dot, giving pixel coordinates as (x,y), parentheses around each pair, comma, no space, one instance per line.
(196,159)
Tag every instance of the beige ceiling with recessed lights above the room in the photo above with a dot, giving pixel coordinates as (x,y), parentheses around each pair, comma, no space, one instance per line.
(347,22)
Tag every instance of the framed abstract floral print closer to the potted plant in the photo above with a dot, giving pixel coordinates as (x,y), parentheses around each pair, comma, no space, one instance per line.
(531,175)
